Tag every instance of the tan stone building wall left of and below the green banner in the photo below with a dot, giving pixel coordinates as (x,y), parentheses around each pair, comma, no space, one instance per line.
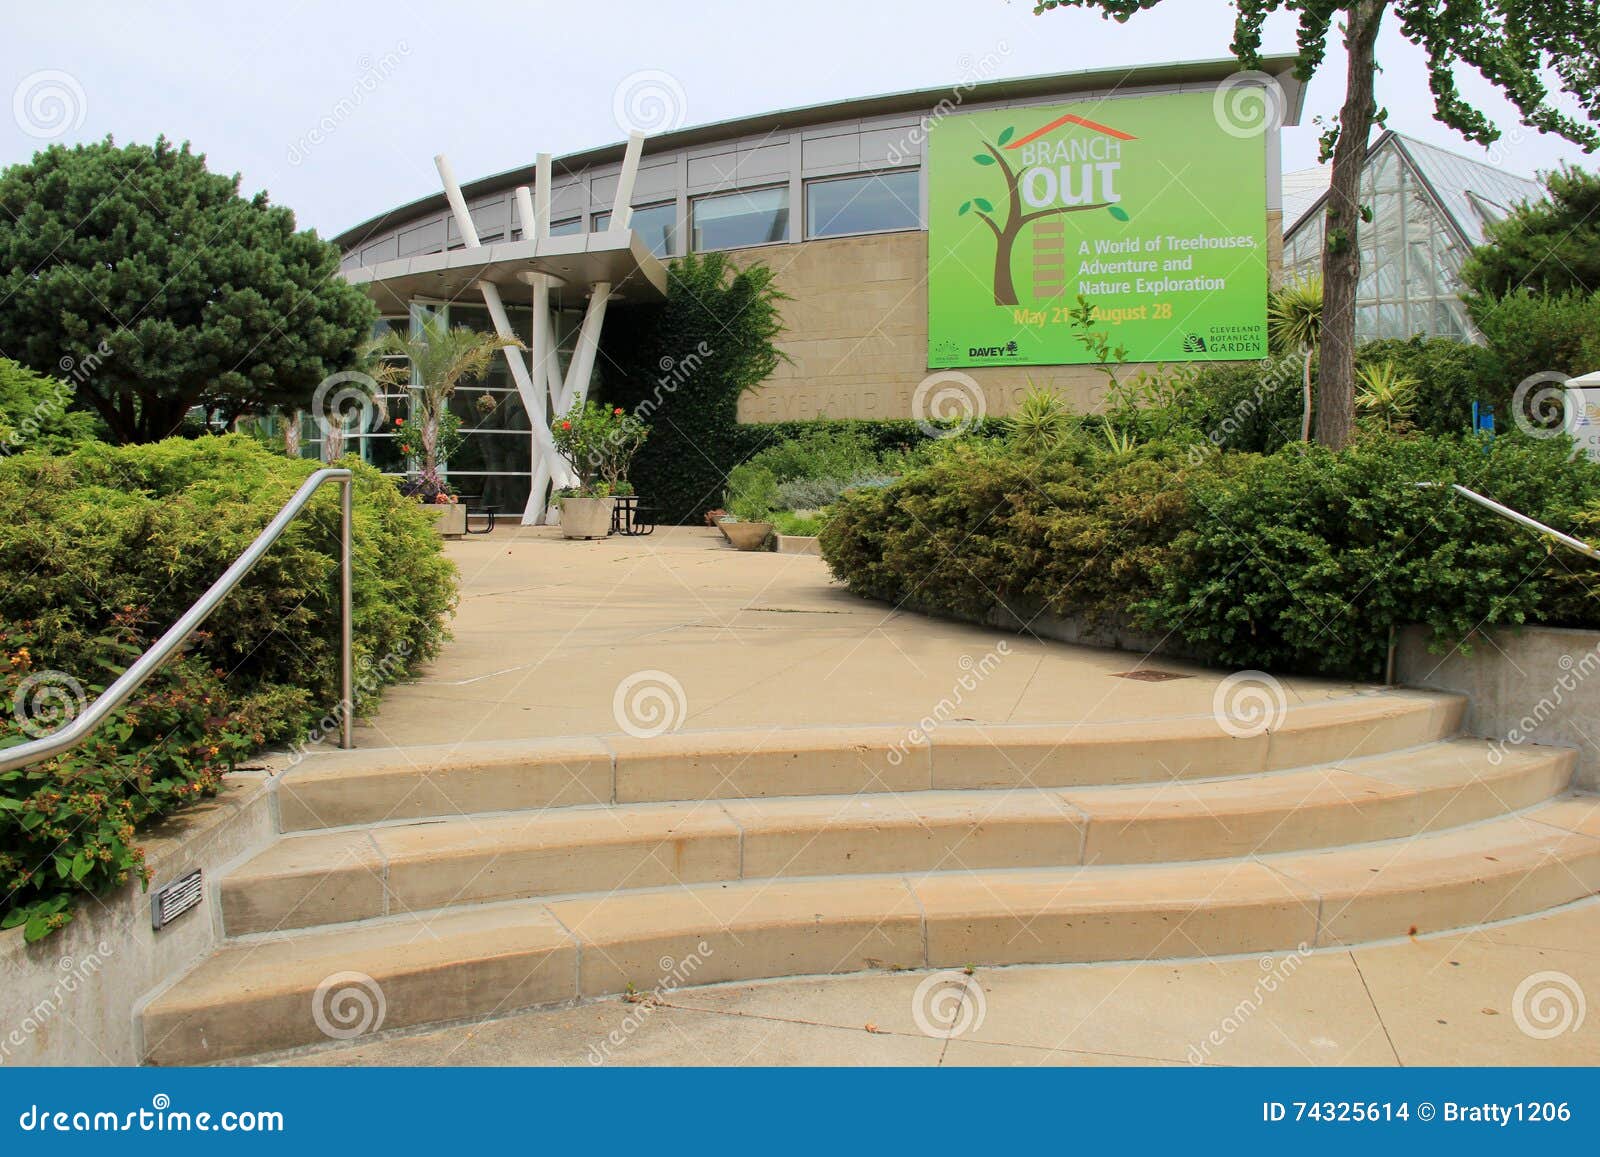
(857,334)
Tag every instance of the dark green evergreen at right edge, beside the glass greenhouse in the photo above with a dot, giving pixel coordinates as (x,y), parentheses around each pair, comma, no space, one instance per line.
(1550,246)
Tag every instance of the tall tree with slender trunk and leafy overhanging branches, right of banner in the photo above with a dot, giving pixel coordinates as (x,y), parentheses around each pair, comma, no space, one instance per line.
(1514,44)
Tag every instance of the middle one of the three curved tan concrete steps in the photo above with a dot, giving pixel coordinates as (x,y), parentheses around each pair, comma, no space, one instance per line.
(358,875)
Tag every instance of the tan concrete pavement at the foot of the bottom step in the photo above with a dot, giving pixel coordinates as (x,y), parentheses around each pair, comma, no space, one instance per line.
(1446,999)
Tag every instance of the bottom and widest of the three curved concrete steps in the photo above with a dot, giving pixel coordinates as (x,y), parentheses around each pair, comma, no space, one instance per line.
(308,988)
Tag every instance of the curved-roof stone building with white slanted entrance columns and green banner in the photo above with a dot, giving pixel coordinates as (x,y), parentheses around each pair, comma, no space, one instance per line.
(839,199)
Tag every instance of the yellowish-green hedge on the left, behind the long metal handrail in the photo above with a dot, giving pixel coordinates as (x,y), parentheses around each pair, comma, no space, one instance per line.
(103,550)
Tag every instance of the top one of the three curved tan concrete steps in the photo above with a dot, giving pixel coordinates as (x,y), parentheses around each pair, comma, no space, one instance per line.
(337,790)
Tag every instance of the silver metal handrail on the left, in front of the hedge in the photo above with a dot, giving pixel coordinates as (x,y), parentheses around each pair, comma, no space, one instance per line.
(78,731)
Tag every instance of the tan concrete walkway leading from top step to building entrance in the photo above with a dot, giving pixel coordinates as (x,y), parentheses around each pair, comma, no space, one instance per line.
(548,631)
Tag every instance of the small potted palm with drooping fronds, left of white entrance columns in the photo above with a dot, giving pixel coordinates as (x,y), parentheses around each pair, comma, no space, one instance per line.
(438,359)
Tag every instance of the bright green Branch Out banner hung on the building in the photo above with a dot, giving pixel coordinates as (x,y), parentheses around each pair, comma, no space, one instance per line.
(1153,209)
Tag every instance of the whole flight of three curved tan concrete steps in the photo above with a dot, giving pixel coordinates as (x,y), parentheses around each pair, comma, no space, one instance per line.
(481,879)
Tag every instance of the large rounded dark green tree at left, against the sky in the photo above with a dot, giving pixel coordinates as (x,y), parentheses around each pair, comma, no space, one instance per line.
(174,286)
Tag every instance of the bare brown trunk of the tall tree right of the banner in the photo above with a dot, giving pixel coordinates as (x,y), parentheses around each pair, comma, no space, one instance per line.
(1342,257)
